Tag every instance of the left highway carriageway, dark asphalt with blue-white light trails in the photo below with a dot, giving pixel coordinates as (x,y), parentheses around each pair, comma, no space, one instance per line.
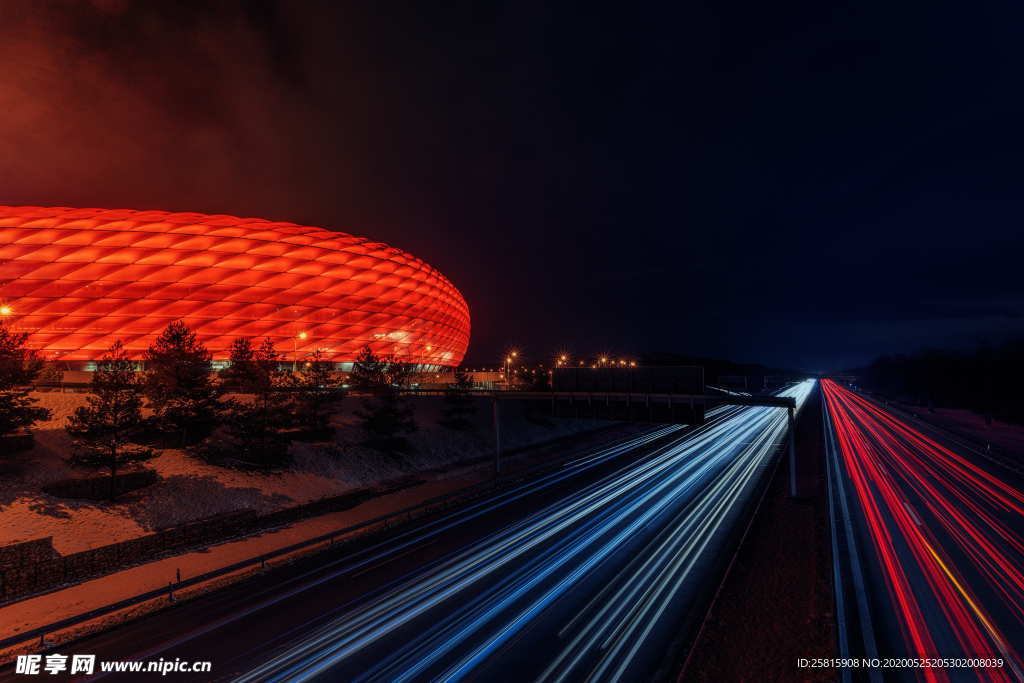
(589,572)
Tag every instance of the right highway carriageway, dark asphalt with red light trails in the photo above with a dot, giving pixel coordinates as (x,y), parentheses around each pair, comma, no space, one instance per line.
(932,545)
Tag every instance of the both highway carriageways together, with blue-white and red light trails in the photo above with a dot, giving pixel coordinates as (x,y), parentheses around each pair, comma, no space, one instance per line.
(601,568)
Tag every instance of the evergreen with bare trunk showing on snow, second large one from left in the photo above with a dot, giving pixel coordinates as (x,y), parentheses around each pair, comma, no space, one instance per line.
(104,428)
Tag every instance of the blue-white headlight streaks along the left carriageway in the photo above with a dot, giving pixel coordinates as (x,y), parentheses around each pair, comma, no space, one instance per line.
(692,486)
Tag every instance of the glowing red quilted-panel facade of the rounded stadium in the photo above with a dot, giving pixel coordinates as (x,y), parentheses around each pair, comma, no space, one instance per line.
(77,280)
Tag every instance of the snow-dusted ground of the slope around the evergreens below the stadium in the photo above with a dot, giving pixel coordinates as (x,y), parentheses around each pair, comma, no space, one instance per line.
(190,489)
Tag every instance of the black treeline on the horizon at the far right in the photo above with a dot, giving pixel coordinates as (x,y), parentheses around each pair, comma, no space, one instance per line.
(988,380)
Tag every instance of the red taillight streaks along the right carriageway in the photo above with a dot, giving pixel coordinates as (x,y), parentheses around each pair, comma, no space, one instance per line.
(887,462)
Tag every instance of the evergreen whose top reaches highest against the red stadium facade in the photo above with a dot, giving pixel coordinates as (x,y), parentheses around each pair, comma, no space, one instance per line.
(180,387)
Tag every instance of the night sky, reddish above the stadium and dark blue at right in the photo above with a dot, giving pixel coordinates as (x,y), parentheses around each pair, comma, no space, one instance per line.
(790,184)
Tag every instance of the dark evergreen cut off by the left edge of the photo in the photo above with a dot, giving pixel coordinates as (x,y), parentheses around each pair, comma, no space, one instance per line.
(19,369)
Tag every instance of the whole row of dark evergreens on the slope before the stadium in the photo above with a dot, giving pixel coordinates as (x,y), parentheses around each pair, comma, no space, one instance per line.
(247,415)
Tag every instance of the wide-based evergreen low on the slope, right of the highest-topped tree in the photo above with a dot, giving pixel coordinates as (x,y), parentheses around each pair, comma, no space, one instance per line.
(255,429)
